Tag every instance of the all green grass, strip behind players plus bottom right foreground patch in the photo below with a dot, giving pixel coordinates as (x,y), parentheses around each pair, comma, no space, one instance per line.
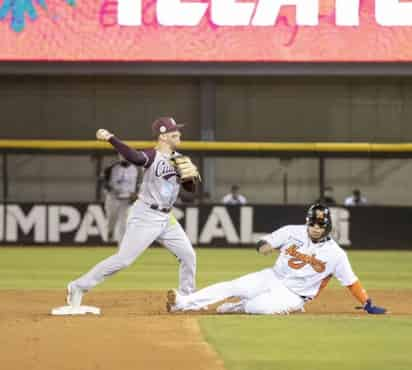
(295,342)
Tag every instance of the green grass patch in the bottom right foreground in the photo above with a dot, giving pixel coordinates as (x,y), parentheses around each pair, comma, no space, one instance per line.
(310,342)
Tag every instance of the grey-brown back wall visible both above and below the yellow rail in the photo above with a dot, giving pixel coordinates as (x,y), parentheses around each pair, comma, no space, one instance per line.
(247,109)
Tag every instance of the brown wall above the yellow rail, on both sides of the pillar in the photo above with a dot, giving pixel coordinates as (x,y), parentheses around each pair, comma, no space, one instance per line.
(247,108)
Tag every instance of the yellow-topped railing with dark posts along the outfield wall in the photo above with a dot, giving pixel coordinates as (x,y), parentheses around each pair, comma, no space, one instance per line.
(203,150)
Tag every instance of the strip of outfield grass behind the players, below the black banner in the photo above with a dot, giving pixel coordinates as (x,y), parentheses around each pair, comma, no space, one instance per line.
(52,268)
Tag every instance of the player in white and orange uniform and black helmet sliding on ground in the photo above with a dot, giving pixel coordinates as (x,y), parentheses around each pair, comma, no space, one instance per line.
(308,258)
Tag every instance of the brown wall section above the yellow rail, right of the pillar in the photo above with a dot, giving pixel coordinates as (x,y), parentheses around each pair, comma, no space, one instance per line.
(292,109)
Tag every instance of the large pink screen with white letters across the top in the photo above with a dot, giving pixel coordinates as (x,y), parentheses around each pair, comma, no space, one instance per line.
(206,30)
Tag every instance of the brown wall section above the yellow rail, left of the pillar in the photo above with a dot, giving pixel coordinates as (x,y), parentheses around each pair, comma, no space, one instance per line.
(72,108)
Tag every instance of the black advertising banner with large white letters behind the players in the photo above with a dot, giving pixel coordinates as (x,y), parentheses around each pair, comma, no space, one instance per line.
(208,225)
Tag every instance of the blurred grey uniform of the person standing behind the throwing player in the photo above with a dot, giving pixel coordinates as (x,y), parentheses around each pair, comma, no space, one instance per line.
(120,183)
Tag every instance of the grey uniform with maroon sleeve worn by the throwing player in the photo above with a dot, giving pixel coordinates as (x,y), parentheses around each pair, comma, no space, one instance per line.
(150,219)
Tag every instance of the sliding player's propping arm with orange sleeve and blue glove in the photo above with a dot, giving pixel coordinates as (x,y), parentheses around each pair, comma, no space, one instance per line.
(346,276)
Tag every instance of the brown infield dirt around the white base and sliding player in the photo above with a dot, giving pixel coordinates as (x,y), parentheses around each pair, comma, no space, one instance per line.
(133,332)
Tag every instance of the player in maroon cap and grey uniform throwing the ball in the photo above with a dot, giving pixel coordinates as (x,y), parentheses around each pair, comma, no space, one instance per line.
(150,217)
